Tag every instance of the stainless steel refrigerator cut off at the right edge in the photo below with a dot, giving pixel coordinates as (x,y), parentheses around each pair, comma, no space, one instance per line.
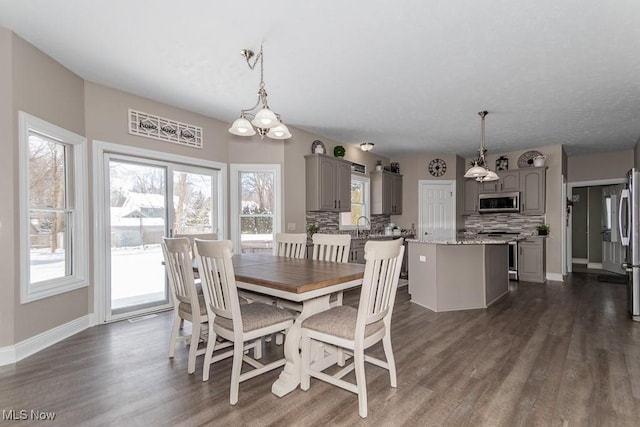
(628,224)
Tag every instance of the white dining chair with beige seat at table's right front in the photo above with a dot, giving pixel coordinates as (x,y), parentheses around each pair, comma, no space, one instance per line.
(356,330)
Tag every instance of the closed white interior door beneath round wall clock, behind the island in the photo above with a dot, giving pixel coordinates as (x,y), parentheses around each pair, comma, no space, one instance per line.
(437,209)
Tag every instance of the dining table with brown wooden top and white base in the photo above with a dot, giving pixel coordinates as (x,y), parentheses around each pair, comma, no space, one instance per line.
(305,281)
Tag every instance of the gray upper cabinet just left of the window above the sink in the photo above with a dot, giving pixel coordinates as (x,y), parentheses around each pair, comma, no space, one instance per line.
(328,183)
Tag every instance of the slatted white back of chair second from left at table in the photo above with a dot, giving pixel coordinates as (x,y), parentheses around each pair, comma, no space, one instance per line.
(218,278)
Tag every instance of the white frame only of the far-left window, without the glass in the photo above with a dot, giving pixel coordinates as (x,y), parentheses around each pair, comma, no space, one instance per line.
(76,175)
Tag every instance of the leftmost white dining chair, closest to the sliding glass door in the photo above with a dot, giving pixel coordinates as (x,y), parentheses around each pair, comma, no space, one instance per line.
(188,303)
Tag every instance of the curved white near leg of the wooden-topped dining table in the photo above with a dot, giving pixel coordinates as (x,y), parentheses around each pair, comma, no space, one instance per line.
(289,378)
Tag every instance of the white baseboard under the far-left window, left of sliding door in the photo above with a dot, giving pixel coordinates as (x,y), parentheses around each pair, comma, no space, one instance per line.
(30,346)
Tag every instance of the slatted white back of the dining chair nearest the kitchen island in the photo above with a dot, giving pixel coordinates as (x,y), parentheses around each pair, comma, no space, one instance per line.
(380,282)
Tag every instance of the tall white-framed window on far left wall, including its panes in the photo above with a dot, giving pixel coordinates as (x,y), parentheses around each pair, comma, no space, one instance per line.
(53,209)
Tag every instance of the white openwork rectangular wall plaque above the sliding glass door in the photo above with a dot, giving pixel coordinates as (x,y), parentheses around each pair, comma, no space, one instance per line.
(150,126)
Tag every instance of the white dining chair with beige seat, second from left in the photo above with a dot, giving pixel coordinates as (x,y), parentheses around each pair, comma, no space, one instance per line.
(241,324)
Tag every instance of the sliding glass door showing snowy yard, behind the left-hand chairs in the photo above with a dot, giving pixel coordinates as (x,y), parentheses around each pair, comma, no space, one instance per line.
(147,200)
